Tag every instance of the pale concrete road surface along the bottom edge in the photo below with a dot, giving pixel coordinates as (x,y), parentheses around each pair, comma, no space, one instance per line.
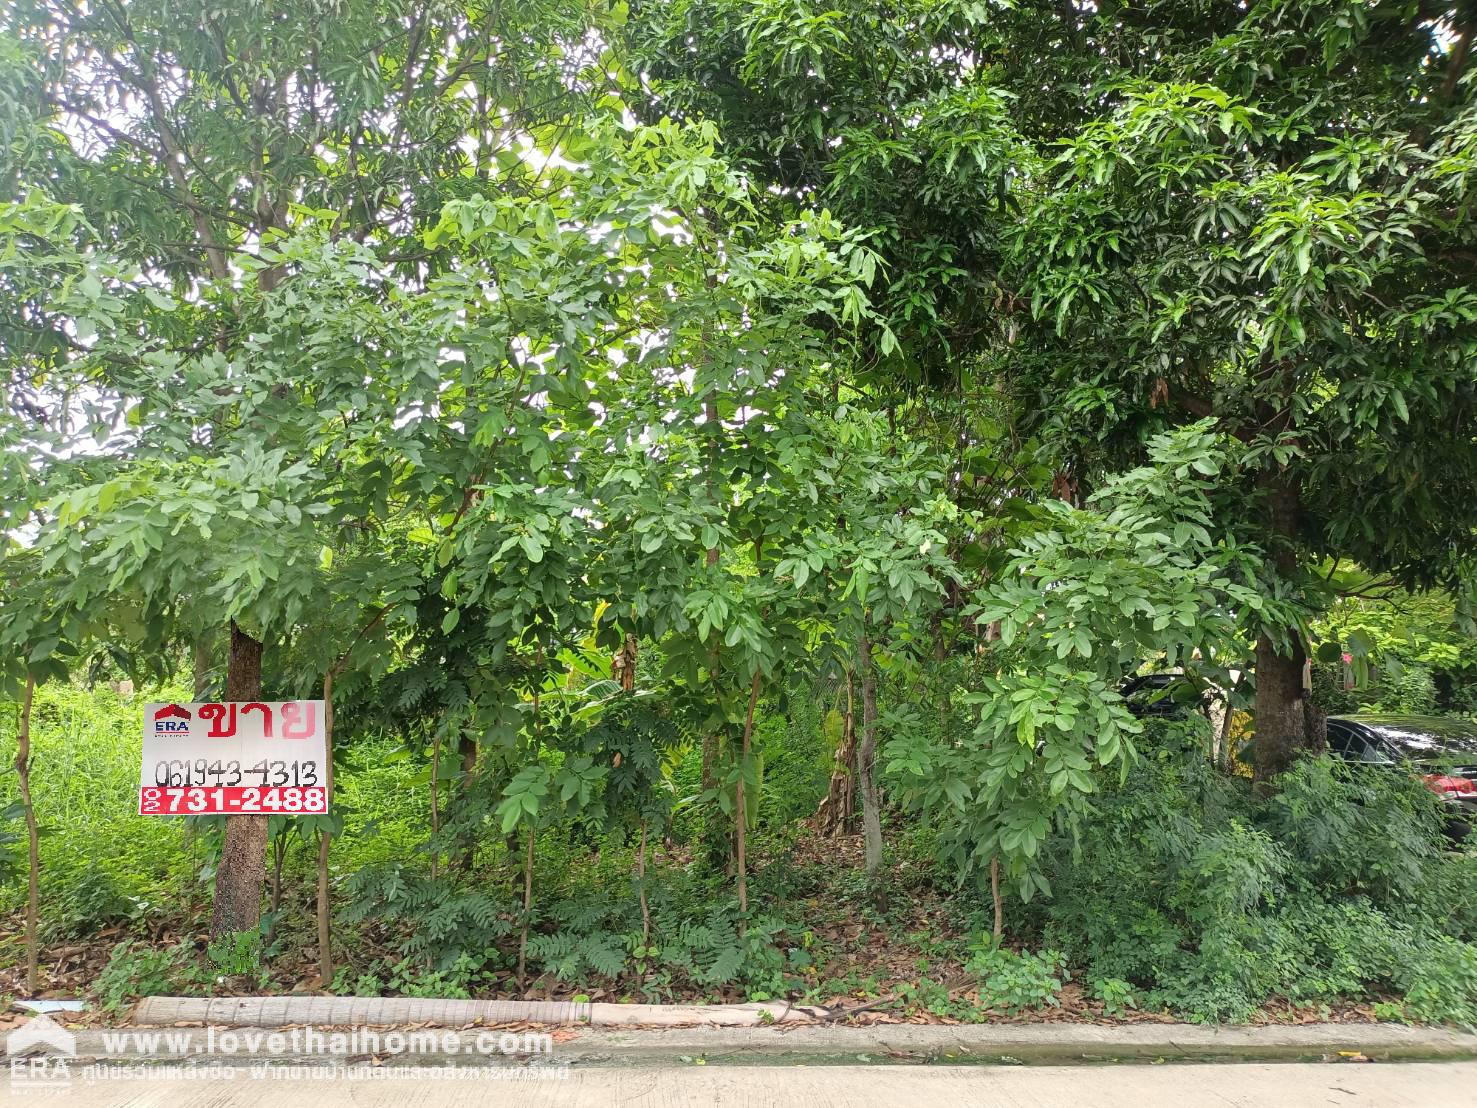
(1132,1087)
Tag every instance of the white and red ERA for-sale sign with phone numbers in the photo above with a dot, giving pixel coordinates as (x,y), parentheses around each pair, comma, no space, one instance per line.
(265,759)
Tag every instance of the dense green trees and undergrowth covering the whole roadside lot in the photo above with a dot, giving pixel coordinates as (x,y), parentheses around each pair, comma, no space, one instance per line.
(655,426)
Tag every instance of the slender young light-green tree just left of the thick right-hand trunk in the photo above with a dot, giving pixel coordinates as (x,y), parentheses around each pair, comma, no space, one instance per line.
(1086,598)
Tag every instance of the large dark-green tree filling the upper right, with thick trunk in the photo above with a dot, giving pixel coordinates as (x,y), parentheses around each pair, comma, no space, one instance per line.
(1259,213)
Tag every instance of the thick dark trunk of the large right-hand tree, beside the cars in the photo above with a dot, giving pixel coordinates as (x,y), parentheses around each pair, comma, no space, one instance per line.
(1283,723)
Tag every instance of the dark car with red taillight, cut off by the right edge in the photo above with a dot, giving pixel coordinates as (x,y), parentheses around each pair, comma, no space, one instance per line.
(1442,751)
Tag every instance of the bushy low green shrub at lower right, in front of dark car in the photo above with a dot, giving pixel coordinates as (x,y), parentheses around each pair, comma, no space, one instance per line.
(1209,902)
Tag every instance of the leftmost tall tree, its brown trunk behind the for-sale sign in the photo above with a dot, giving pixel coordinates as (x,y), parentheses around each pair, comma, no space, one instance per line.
(191,143)
